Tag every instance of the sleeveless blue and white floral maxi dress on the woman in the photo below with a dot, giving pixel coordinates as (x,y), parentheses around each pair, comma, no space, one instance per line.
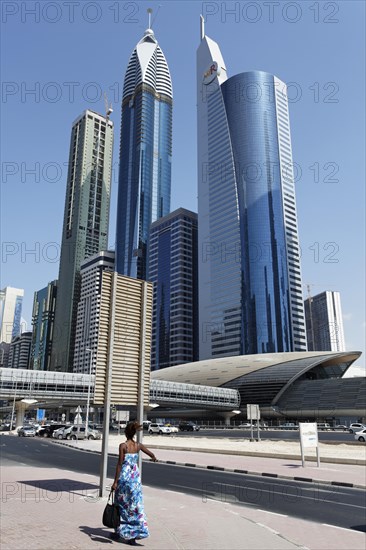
(128,495)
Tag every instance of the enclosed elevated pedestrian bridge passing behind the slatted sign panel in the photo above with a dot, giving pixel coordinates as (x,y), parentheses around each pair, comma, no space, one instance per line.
(52,389)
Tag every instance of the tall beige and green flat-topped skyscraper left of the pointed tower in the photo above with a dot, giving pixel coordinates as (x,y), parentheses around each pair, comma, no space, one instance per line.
(85,227)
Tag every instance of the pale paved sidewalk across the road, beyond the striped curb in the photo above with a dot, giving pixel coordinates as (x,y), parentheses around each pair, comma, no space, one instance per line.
(329,473)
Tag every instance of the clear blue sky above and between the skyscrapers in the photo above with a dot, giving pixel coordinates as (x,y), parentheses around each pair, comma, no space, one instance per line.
(68,54)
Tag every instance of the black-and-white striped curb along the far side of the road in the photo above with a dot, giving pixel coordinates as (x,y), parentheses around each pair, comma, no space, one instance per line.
(235,470)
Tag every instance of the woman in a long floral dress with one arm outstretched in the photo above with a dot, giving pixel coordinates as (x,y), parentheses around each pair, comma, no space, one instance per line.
(128,490)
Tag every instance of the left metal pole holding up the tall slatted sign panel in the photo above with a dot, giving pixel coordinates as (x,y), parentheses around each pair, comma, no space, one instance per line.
(107,390)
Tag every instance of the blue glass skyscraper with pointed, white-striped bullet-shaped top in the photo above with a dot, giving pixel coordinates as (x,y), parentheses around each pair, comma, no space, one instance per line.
(145,154)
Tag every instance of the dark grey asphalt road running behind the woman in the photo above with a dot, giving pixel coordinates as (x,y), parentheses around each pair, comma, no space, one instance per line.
(340,506)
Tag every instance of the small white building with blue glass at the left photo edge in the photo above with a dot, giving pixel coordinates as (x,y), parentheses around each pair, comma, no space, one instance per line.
(11,301)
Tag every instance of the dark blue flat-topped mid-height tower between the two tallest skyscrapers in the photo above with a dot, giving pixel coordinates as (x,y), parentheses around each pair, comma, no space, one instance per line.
(173,270)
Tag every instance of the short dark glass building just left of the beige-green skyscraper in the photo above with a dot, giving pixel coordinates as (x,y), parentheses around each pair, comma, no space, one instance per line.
(43,317)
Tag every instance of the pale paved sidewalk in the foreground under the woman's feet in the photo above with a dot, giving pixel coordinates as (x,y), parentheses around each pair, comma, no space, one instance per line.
(44,508)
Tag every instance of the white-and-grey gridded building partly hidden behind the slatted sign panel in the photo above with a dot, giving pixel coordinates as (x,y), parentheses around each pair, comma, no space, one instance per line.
(88,315)
